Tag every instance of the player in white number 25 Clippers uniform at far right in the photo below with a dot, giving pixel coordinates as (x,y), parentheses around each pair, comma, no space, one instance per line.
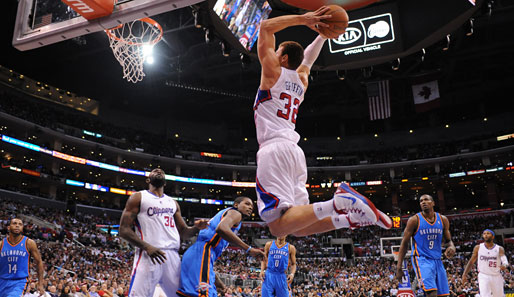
(491,258)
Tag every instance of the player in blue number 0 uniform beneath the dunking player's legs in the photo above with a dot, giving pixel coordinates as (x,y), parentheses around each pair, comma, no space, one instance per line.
(278,256)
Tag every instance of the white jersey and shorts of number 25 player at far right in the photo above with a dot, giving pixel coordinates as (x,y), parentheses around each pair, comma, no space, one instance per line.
(490,280)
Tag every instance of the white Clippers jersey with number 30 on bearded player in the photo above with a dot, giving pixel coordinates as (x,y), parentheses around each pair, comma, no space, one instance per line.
(155,223)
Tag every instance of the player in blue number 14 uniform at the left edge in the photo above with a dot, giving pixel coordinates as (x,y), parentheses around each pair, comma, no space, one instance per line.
(15,253)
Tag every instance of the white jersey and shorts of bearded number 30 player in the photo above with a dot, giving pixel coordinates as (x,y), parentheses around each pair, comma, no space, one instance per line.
(155,225)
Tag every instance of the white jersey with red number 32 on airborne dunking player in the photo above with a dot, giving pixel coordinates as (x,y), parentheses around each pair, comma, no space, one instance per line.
(275,109)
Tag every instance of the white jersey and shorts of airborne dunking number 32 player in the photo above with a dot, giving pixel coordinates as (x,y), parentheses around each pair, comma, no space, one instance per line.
(279,157)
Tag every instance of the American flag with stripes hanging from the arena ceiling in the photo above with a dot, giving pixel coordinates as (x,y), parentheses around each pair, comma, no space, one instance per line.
(379,100)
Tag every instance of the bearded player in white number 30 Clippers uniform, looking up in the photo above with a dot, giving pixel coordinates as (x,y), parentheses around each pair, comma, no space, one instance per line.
(159,227)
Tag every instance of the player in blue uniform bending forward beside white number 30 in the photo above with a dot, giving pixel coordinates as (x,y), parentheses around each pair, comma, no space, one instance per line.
(197,277)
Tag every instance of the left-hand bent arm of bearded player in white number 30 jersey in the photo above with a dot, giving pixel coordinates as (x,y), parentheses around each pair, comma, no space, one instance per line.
(128,219)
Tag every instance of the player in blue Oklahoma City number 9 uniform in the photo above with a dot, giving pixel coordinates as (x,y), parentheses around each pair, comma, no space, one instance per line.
(428,229)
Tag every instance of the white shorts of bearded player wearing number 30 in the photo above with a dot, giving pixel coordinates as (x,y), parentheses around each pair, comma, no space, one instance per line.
(146,275)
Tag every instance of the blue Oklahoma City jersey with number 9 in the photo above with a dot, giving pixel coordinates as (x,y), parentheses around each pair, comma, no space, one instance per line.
(428,237)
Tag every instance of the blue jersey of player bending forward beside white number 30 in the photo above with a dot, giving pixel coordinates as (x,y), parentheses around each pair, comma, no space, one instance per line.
(209,235)
